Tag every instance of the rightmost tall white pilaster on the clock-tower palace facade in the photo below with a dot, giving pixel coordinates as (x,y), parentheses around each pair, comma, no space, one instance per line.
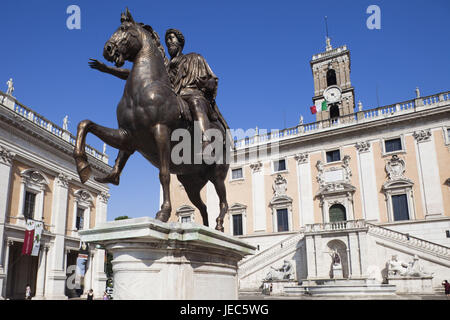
(429,172)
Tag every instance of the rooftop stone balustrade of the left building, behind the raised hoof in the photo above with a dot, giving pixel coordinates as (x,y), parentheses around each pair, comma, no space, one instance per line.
(11,103)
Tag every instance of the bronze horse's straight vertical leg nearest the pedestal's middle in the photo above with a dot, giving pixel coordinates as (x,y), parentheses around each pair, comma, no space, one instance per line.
(162,137)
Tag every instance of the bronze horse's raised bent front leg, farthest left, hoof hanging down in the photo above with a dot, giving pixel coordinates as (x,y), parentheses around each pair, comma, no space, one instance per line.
(116,138)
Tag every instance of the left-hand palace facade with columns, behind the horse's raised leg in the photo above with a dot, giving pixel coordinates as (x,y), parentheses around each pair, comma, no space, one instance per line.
(38,181)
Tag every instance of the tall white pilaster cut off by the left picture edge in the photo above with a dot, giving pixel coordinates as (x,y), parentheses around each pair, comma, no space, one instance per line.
(6,159)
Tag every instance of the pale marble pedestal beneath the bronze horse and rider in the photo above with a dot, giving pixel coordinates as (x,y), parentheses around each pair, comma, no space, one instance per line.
(171,261)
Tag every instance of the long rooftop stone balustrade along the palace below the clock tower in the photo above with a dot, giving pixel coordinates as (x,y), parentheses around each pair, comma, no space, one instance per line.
(397,109)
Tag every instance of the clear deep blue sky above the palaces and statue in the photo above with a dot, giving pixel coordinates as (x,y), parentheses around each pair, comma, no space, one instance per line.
(260,51)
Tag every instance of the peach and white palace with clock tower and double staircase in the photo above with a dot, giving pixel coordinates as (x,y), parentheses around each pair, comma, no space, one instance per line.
(368,184)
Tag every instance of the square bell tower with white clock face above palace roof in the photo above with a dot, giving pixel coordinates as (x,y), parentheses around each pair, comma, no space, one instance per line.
(333,90)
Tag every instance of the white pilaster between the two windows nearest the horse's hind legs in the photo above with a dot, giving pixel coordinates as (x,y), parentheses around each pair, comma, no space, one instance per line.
(258,197)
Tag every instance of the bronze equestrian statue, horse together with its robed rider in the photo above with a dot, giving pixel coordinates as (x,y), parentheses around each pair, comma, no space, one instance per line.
(159,97)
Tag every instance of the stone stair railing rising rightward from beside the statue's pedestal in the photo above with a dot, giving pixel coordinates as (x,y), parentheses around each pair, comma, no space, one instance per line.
(267,255)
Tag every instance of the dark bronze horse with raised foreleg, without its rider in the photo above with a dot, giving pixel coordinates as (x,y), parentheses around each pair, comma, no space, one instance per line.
(148,113)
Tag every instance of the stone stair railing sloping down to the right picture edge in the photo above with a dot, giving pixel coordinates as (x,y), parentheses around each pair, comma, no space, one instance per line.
(407,239)
